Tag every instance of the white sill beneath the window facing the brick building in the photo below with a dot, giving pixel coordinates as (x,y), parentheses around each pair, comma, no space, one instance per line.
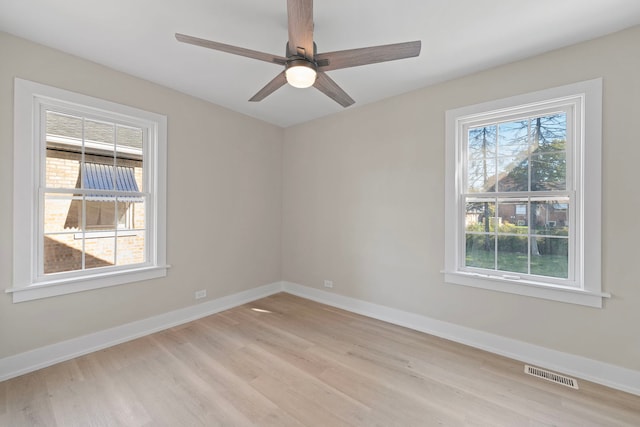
(65,286)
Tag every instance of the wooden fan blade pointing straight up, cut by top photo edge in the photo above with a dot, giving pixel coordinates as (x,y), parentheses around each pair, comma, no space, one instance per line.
(300,19)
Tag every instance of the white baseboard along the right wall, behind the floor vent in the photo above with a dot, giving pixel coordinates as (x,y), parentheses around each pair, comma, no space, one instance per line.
(588,369)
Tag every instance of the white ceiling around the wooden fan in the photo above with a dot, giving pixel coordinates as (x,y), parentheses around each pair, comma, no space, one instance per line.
(458,37)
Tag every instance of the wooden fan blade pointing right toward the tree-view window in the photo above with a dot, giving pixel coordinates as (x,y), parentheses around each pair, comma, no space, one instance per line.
(367,55)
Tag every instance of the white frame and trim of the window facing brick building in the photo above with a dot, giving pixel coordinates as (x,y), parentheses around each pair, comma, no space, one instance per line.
(29,159)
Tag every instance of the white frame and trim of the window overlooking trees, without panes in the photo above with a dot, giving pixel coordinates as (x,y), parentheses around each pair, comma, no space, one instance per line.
(584,152)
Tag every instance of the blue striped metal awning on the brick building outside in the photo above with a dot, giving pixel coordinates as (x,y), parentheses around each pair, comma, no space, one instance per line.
(97,176)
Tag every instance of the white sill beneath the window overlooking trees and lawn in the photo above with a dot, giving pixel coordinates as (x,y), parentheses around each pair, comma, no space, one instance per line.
(530,289)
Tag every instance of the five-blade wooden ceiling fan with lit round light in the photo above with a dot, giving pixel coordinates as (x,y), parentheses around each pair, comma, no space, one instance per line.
(305,67)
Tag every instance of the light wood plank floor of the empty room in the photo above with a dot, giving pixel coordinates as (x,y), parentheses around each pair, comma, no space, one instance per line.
(286,361)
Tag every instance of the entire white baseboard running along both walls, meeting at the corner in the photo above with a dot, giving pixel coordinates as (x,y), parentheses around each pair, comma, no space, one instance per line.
(598,372)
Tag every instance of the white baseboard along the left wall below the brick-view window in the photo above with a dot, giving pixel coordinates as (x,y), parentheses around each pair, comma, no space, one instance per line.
(42,357)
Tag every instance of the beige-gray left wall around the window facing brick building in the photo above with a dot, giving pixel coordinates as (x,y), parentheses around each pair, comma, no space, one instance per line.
(224,202)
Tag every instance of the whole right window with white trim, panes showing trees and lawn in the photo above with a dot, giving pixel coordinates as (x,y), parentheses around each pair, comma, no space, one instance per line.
(523,194)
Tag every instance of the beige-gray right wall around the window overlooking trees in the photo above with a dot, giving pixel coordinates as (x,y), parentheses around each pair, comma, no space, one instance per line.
(364,191)
